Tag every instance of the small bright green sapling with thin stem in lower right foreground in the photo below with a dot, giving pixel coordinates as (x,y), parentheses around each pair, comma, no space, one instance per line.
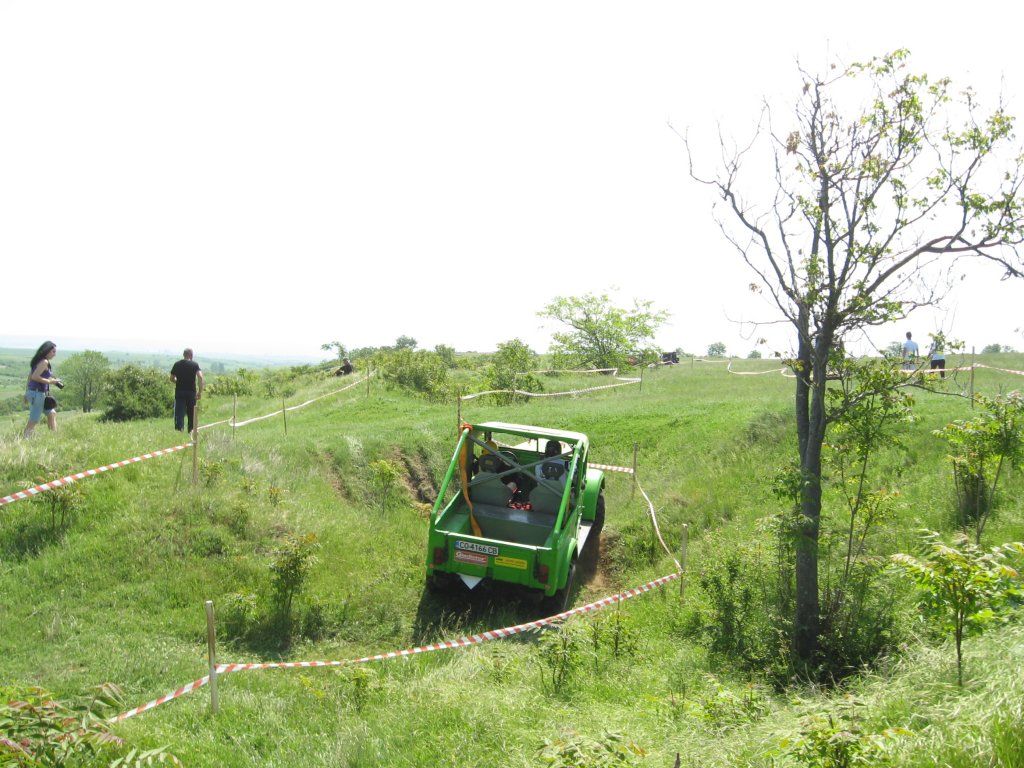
(962,588)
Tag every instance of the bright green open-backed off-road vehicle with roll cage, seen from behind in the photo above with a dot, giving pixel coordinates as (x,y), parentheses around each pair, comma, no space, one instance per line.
(522,506)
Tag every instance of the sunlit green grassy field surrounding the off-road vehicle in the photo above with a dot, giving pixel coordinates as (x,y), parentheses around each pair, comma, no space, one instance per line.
(117,593)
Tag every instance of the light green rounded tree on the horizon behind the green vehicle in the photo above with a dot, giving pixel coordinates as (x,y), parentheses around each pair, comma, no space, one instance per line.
(601,334)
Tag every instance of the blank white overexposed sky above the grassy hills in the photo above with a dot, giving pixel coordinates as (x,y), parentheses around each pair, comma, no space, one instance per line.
(263,178)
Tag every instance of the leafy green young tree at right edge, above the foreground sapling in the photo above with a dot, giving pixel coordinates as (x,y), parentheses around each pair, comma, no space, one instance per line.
(984,448)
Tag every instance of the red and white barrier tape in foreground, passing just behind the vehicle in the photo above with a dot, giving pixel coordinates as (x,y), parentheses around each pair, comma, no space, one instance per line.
(463,643)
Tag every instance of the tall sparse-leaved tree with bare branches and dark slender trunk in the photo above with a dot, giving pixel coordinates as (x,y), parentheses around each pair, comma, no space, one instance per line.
(882,180)
